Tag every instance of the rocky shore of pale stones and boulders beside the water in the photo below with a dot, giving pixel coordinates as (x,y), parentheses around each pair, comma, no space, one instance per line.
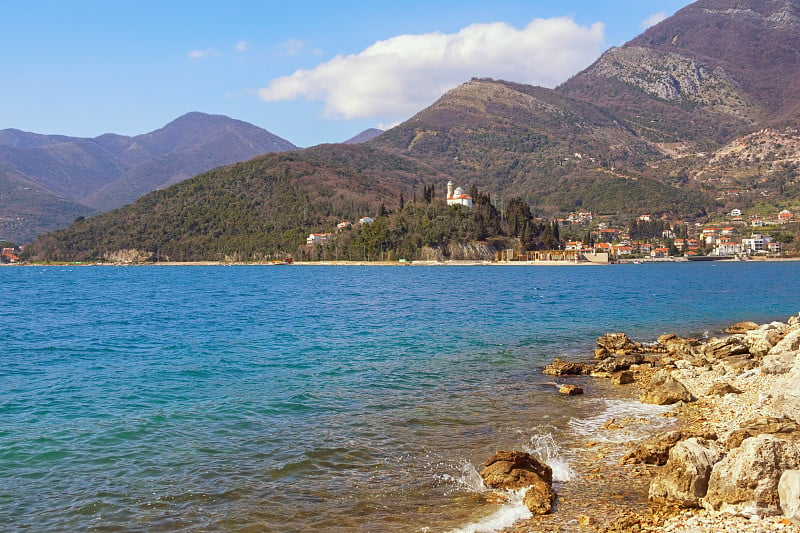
(730,460)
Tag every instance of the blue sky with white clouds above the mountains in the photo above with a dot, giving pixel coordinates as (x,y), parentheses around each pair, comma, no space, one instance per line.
(309,71)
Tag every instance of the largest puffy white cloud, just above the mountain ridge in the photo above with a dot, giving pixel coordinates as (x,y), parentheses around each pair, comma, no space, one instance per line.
(403,74)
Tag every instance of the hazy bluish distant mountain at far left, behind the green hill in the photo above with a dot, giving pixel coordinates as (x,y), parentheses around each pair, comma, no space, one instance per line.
(89,175)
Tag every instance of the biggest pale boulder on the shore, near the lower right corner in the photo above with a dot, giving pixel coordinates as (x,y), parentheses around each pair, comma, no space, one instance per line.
(746,481)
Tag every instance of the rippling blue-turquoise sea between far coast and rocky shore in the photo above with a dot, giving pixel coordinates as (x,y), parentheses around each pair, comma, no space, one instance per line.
(318,398)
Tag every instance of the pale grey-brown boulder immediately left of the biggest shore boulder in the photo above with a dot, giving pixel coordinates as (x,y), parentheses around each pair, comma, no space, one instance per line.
(684,479)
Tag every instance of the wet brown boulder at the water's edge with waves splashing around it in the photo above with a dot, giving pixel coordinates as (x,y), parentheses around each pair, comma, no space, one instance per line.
(518,470)
